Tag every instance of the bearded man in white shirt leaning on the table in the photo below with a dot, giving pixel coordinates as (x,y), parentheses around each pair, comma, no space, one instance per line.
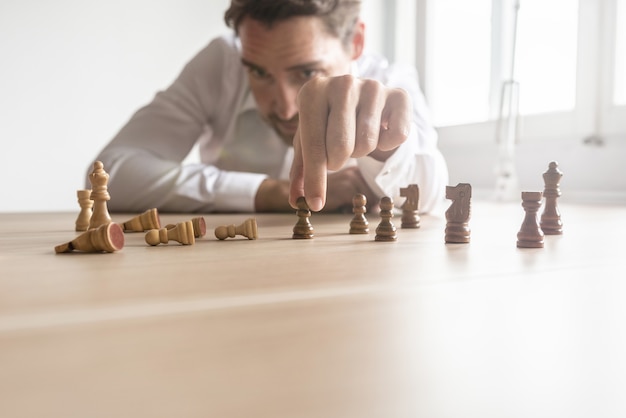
(287,106)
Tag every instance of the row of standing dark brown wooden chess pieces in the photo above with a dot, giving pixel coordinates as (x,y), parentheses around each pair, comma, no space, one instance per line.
(457,230)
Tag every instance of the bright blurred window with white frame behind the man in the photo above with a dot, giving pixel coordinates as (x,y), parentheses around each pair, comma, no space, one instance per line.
(569,65)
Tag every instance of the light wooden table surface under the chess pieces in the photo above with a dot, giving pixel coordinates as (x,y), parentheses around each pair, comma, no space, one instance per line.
(336,326)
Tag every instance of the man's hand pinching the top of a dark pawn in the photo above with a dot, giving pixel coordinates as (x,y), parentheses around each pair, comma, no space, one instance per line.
(340,118)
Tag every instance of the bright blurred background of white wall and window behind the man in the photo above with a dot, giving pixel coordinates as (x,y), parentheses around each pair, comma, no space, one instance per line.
(512,84)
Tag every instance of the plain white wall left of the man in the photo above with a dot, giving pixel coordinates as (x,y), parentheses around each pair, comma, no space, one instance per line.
(71,74)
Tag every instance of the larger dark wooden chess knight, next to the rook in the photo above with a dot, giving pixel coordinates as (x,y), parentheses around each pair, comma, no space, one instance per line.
(458,214)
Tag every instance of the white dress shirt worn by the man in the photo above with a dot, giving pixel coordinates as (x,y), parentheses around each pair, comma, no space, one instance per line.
(210,103)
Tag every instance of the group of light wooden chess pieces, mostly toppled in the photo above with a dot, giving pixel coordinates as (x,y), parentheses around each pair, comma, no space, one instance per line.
(100,234)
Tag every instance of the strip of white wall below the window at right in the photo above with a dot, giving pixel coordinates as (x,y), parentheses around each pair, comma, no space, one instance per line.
(592,173)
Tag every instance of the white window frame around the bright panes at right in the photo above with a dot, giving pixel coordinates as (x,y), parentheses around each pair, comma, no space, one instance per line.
(594,114)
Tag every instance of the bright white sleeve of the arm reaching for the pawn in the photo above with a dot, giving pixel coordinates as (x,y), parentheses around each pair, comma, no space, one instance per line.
(417,160)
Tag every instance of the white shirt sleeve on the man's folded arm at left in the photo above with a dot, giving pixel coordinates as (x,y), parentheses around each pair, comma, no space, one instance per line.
(145,159)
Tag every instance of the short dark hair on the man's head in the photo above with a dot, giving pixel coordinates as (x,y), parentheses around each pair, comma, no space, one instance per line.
(339,16)
